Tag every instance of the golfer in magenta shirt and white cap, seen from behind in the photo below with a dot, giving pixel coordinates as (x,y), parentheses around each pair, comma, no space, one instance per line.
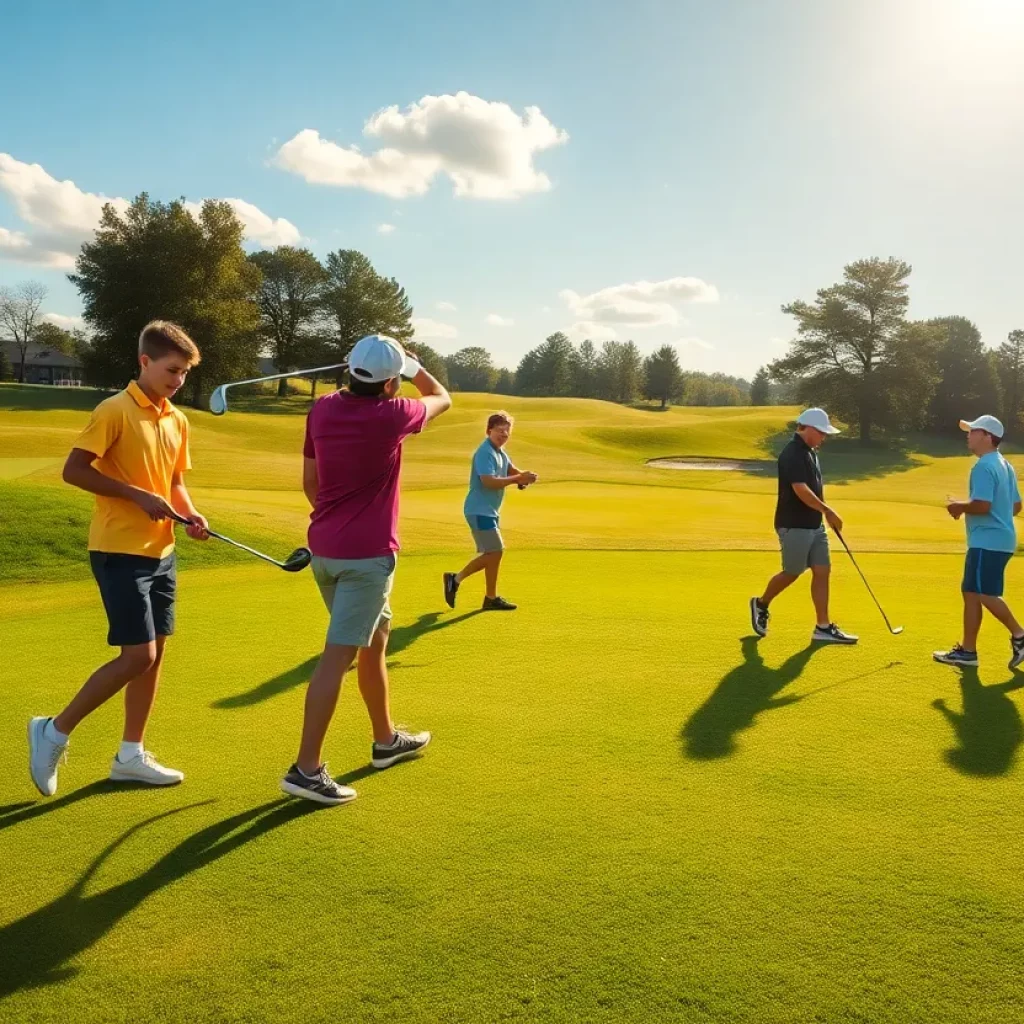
(351,476)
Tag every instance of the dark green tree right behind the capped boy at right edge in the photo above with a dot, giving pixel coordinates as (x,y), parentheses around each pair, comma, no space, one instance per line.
(968,383)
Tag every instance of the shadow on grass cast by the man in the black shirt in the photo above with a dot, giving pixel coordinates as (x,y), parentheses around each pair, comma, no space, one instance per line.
(744,694)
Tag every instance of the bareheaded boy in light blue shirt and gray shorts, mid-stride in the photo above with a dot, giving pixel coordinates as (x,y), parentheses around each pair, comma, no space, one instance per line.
(491,474)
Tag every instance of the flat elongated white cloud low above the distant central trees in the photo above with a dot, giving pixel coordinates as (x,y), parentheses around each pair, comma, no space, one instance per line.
(641,305)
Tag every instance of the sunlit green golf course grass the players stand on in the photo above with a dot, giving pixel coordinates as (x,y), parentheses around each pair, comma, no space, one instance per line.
(631,812)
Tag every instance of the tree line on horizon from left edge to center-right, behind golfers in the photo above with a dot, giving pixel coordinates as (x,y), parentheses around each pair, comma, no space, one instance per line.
(298,311)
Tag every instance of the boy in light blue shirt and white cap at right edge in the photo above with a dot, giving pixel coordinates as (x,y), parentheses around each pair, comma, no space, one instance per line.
(992,540)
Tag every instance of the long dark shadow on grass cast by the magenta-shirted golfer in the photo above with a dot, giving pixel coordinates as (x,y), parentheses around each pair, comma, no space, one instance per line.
(39,949)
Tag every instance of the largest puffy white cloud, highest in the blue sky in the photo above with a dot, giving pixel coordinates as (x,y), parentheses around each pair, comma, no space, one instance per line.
(486,149)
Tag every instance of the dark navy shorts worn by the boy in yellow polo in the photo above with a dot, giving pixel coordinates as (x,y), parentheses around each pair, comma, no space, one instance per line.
(139,596)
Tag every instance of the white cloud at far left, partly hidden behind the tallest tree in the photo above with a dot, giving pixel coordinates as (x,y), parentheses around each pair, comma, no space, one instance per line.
(63,217)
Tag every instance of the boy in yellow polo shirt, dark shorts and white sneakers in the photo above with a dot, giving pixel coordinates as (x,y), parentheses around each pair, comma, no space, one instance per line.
(133,456)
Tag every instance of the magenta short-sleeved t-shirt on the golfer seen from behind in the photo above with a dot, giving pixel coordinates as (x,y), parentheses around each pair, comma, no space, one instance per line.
(357,443)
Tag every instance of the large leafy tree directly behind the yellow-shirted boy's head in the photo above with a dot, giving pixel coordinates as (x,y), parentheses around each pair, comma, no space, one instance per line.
(158,262)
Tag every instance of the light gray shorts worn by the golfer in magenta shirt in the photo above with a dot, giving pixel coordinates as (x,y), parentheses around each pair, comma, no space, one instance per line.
(356,592)
